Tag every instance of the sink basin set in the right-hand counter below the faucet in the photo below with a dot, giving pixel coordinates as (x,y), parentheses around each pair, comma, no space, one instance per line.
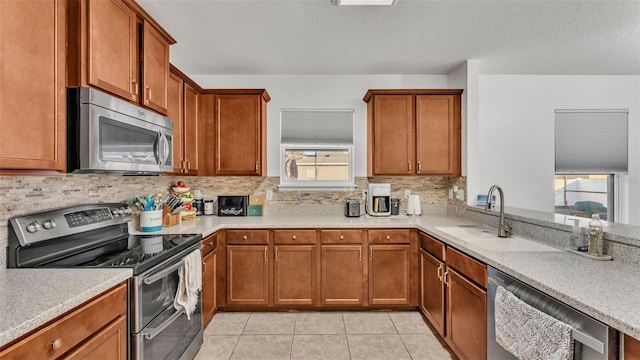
(487,238)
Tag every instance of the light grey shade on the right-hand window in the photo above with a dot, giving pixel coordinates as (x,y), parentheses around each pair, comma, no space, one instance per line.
(591,141)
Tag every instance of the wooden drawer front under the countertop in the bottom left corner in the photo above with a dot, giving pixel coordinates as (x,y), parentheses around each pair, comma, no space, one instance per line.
(68,331)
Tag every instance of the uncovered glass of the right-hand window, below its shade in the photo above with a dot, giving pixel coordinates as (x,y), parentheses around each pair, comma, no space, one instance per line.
(584,195)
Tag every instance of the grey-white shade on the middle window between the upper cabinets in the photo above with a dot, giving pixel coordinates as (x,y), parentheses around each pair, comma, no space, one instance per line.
(325,126)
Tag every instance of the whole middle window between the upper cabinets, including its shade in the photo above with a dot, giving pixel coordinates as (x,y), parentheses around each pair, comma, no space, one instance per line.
(316,149)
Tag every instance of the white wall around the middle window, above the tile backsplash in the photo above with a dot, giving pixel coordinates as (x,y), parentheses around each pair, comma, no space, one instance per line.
(319,91)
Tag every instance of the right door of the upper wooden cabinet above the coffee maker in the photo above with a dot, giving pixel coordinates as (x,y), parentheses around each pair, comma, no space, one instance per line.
(435,129)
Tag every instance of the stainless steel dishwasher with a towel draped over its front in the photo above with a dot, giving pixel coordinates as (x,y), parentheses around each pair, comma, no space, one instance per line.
(591,337)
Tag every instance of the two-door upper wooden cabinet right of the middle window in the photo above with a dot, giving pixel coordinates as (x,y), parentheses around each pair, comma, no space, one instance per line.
(414,132)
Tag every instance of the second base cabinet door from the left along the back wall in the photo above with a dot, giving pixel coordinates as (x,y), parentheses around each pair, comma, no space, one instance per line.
(294,275)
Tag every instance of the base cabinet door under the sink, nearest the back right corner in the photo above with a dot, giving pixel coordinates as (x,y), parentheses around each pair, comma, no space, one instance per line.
(432,290)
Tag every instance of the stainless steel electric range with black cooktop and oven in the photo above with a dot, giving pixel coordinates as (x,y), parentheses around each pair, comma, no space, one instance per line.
(96,235)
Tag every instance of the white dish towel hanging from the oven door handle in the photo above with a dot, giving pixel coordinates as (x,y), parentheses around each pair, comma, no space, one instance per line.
(190,283)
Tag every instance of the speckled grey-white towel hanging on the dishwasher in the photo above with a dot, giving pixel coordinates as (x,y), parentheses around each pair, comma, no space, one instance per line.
(527,332)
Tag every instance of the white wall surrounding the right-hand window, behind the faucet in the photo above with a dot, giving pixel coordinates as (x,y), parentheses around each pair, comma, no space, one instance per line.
(515,134)
